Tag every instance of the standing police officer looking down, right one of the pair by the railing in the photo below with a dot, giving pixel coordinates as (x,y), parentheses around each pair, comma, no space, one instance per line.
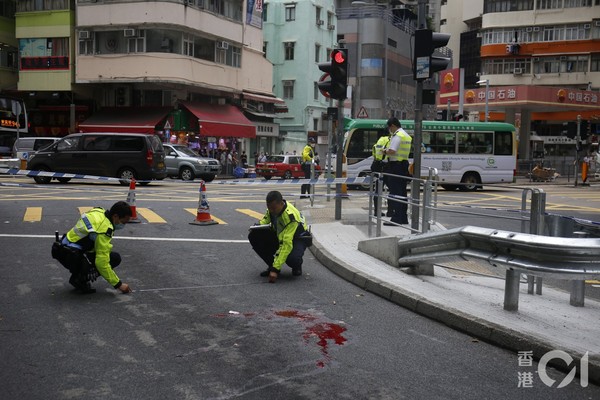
(397,154)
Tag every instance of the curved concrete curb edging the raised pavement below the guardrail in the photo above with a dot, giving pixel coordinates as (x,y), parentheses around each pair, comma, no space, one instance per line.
(453,318)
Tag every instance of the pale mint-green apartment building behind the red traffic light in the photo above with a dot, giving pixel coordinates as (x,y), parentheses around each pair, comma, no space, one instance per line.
(298,36)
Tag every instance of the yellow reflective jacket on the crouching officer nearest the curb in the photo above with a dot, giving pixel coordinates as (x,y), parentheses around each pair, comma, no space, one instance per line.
(289,225)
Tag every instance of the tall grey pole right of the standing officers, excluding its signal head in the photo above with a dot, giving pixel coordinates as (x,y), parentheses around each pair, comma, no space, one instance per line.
(415,191)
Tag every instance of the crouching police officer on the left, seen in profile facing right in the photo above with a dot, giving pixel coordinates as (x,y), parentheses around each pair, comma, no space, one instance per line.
(86,250)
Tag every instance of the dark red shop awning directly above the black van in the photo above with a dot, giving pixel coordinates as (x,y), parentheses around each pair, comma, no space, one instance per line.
(126,119)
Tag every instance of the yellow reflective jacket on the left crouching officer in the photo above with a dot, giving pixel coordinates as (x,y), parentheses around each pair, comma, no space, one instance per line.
(95,225)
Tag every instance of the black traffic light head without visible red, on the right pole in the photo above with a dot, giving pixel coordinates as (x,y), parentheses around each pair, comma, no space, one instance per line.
(424,62)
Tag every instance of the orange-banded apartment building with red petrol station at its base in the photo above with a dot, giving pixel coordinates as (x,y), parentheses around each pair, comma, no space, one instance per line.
(535,63)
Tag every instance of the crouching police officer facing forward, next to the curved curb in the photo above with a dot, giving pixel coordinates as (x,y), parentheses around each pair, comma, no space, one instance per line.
(281,236)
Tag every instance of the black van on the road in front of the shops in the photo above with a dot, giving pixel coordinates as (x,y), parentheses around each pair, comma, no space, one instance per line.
(123,155)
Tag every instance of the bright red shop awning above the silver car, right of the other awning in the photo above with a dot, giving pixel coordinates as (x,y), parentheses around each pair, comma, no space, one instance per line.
(221,120)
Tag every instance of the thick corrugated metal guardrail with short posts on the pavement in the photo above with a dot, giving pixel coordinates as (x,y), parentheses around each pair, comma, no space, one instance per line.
(564,258)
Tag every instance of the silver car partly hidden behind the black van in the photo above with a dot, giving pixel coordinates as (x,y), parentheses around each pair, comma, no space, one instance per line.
(182,162)
